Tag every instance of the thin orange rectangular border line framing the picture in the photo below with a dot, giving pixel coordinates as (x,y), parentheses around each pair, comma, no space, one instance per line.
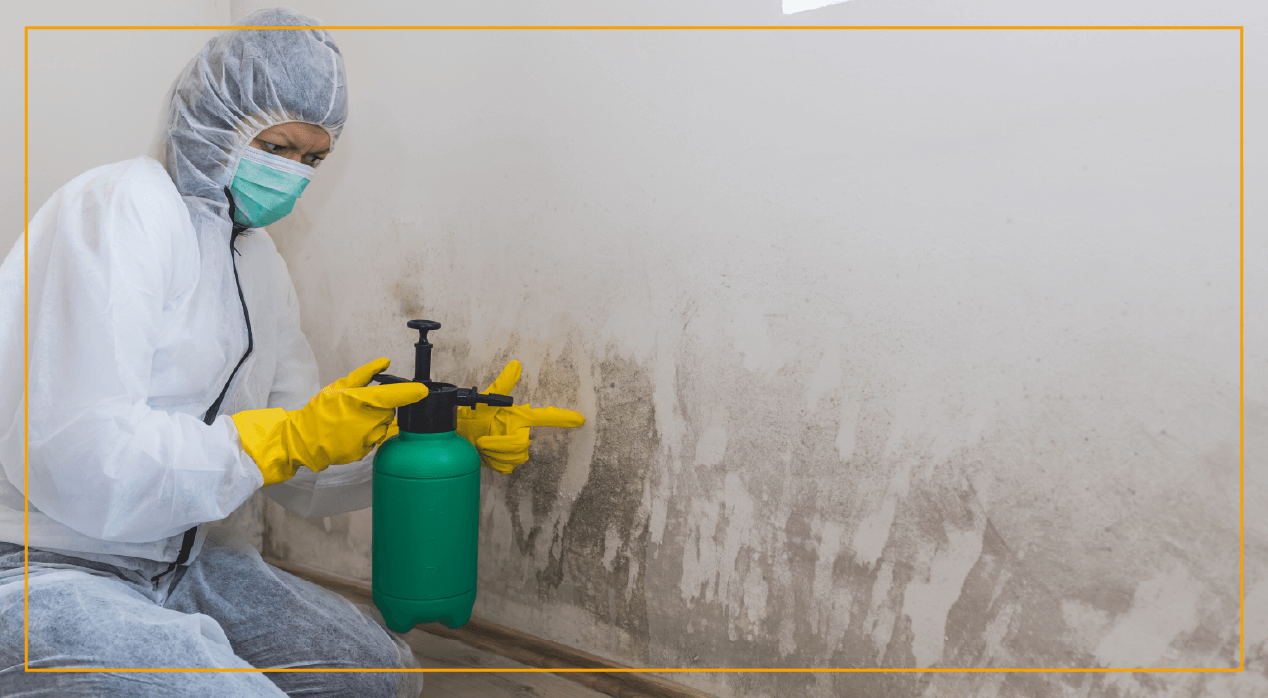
(1242,347)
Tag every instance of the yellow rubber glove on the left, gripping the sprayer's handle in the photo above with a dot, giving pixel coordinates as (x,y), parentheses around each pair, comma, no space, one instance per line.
(339,426)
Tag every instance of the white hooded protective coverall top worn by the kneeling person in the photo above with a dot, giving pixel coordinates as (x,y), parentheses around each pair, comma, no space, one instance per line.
(140,318)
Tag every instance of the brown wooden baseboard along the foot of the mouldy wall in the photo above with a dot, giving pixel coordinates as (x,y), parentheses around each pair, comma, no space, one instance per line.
(522,648)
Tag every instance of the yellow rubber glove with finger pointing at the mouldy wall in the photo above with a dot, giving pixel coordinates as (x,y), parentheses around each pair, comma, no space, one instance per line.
(501,435)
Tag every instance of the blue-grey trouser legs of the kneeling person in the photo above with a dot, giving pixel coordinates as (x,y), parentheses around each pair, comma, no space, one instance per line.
(230,610)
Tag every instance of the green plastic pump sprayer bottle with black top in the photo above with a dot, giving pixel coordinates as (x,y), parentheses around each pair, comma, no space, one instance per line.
(427,504)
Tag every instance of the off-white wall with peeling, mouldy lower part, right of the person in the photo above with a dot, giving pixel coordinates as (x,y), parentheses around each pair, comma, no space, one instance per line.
(898,350)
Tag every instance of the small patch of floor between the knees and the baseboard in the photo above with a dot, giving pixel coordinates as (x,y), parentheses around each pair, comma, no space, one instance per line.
(436,652)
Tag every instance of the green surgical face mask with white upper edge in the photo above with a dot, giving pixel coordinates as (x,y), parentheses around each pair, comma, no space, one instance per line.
(266,187)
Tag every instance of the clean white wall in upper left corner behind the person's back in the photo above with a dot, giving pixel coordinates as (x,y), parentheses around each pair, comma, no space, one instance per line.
(96,97)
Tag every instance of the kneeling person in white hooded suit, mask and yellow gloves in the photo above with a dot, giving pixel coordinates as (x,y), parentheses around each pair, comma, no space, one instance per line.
(169,381)
